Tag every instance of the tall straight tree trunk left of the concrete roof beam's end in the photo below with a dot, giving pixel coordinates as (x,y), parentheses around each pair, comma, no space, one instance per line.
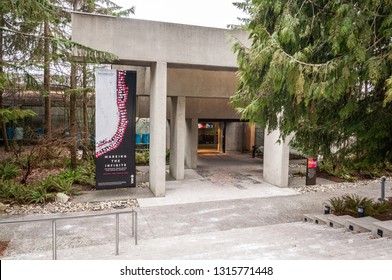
(47,97)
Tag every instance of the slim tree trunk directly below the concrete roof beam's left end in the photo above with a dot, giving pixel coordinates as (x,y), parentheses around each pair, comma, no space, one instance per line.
(72,118)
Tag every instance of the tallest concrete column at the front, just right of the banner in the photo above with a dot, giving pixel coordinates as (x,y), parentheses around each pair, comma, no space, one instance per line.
(158,128)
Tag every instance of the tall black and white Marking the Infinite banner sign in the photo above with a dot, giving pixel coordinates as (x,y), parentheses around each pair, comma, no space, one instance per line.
(115,128)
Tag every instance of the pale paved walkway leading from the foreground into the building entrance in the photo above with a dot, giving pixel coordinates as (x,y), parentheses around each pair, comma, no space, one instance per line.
(222,210)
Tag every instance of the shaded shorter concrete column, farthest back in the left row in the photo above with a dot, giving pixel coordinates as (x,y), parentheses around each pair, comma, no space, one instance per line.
(191,144)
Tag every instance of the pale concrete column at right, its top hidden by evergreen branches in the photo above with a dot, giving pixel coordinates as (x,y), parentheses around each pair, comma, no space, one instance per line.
(276,160)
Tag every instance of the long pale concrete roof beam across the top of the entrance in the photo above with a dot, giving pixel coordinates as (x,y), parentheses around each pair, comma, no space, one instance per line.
(141,41)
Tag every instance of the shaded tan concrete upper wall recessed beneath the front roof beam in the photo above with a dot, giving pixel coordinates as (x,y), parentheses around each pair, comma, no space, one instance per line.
(207,91)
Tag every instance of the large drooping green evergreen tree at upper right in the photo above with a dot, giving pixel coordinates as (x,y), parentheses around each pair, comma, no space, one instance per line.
(323,70)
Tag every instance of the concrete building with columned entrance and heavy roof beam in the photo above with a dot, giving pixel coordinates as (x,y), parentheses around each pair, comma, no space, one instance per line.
(185,74)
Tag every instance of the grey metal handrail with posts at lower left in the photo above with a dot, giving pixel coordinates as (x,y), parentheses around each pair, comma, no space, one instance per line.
(54,219)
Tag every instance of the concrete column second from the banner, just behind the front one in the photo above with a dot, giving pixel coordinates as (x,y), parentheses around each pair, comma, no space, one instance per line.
(177,137)
